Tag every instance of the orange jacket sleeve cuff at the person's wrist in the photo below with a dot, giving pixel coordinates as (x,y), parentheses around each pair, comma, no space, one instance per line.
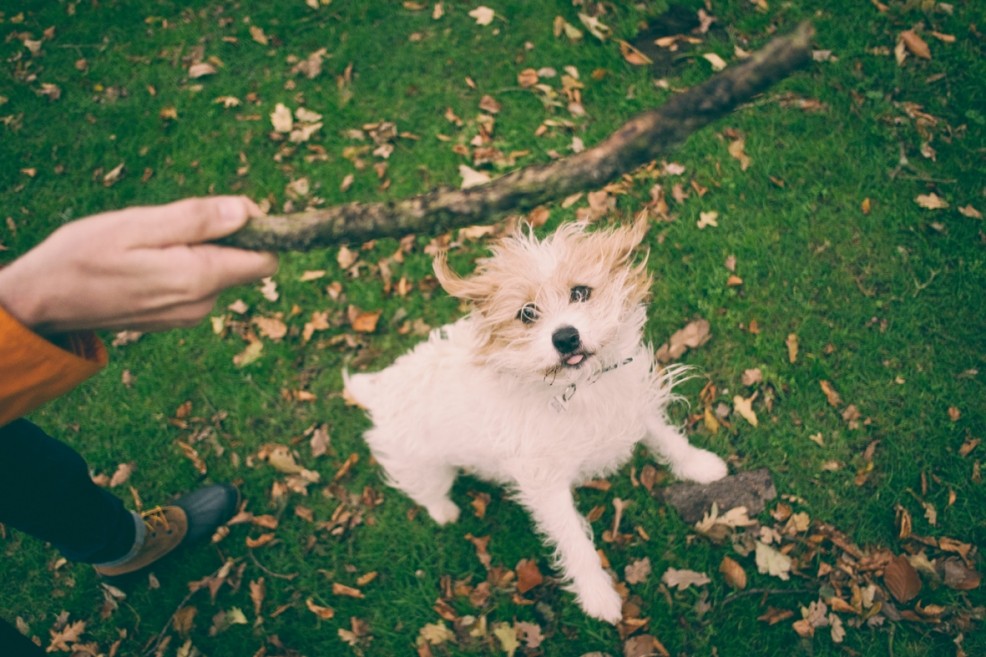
(34,370)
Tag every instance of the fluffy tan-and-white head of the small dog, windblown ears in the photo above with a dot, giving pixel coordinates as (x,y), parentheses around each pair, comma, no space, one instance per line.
(558,308)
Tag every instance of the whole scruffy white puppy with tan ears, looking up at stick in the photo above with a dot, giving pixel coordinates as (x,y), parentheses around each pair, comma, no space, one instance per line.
(545,385)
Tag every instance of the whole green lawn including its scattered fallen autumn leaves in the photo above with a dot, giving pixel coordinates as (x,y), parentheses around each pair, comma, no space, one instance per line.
(830,232)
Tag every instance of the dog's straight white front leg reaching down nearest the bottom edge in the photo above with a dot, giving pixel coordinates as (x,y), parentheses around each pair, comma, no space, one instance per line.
(556,517)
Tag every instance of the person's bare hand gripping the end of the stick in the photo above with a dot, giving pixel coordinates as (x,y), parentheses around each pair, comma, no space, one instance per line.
(142,268)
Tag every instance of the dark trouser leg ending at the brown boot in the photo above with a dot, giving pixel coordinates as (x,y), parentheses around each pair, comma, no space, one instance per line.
(46,491)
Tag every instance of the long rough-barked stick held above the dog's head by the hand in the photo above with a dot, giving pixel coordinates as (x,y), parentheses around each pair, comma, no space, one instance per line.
(640,140)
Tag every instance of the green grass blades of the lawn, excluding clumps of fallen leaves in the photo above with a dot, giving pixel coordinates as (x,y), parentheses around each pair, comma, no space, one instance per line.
(874,298)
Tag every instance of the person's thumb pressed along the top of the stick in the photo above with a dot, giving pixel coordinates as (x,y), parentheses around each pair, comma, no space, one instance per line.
(192,221)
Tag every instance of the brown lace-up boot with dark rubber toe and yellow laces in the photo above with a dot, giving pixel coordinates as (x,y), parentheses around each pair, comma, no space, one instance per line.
(191,518)
